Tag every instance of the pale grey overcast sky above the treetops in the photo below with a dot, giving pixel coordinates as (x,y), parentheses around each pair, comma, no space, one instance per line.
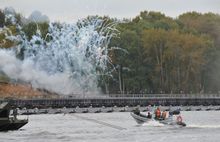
(71,10)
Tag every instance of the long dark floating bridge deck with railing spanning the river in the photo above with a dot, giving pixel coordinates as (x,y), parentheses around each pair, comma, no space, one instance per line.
(122,100)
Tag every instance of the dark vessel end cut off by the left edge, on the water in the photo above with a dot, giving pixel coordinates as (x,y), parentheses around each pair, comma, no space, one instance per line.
(8,122)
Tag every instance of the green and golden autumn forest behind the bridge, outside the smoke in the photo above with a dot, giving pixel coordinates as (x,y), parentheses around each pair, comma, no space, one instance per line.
(163,55)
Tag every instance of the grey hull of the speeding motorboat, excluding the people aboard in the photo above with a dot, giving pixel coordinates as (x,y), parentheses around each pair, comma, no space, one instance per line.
(170,120)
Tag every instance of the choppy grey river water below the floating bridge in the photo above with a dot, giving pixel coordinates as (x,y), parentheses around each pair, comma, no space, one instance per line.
(201,126)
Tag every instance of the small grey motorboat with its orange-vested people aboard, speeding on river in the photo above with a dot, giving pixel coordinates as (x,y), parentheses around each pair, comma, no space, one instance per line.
(166,118)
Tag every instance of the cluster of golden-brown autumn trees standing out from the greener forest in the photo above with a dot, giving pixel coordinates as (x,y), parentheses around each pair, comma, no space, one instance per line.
(177,57)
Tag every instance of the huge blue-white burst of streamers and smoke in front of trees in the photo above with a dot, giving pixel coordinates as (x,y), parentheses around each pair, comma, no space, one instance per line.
(69,60)
